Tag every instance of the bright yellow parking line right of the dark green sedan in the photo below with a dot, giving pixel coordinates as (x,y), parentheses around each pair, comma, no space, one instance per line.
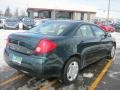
(100,76)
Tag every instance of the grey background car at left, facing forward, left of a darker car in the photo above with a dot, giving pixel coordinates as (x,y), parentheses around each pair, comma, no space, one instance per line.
(12,23)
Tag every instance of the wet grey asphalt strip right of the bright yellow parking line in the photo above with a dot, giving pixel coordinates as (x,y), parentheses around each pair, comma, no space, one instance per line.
(111,80)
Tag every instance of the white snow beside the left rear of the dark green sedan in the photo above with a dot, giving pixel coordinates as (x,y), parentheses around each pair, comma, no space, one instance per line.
(3,36)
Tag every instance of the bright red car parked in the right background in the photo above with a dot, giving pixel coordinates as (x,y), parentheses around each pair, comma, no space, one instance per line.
(106,26)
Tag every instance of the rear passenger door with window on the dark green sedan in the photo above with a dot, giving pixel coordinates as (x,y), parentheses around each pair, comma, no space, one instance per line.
(88,47)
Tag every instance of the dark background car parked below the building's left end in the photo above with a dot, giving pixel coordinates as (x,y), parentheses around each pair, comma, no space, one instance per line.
(28,23)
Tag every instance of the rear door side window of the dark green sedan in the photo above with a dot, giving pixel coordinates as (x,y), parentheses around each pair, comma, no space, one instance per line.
(86,31)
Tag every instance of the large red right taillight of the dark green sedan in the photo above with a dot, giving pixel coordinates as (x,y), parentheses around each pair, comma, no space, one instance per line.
(45,46)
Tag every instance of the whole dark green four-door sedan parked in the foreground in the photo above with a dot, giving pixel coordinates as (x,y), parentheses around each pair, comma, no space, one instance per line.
(58,48)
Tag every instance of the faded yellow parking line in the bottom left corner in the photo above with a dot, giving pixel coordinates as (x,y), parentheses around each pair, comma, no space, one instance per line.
(11,80)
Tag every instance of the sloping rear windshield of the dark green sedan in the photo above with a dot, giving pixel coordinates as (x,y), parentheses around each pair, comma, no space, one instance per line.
(52,28)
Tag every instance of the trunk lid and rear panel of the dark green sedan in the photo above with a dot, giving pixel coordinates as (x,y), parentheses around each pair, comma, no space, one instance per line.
(25,42)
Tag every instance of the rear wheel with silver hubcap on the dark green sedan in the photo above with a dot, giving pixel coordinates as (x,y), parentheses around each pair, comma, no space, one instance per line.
(70,75)
